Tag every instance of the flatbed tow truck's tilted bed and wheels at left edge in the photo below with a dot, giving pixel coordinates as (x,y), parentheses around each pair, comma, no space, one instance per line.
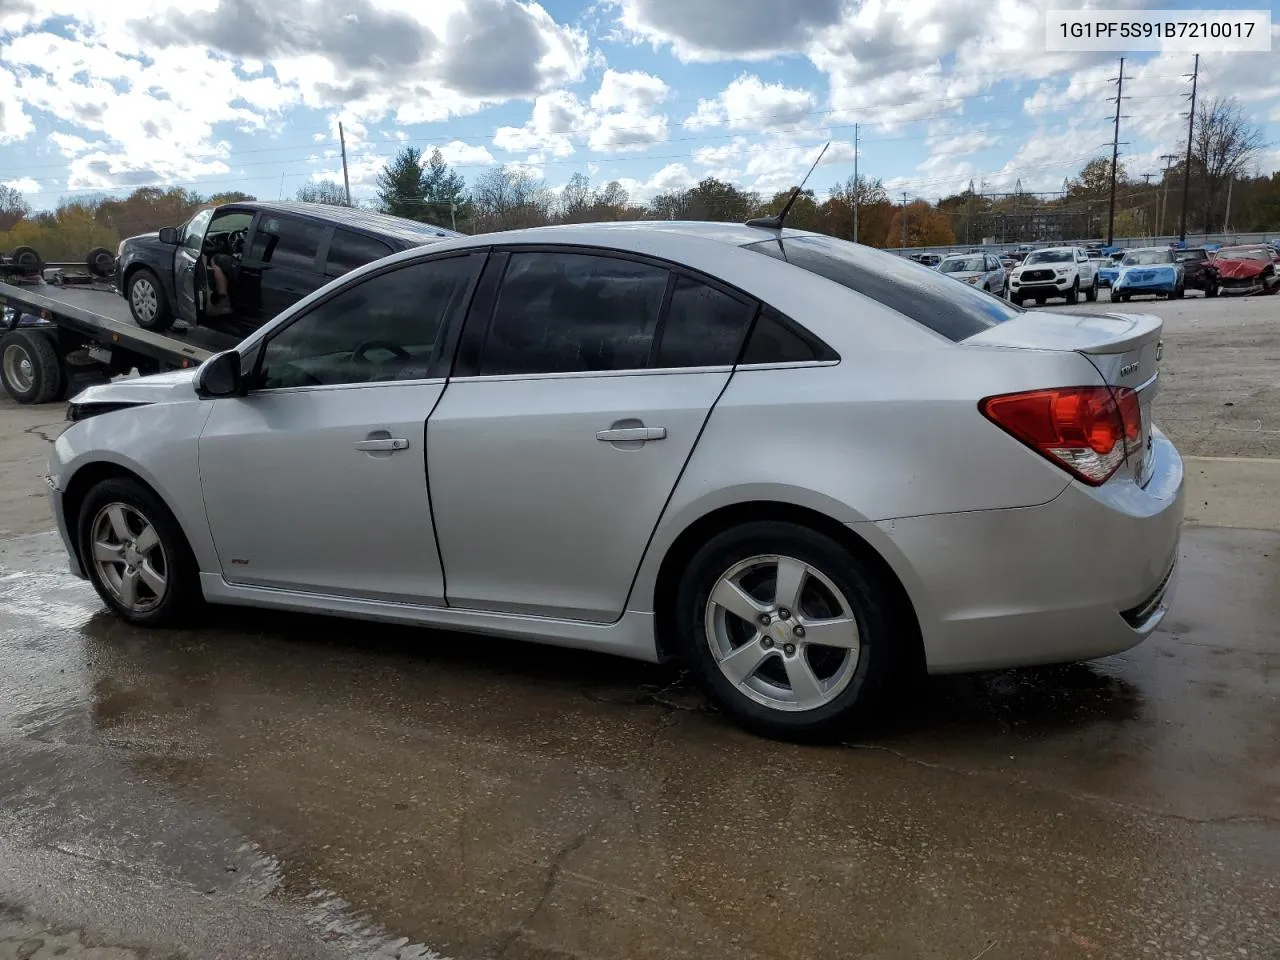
(62,332)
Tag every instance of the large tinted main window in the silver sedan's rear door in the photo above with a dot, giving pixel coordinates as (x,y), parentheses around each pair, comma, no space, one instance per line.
(573,313)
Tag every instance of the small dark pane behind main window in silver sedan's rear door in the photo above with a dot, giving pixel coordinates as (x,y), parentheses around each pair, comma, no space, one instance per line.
(703,328)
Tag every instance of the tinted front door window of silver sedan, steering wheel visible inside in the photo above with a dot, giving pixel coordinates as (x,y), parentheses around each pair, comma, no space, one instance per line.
(386,328)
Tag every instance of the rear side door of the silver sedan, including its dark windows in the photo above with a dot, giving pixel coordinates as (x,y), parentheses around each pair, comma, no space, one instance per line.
(580,392)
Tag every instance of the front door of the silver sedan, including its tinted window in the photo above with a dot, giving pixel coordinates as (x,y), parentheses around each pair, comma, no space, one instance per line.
(317,479)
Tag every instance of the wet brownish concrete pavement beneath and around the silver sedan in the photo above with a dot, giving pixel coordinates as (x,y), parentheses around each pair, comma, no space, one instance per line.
(295,788)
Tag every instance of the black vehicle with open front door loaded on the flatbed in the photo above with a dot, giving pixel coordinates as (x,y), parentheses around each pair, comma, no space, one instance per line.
(272,254)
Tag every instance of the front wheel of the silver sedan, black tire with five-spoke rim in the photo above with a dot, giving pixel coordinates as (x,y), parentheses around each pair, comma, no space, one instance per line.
(126,501)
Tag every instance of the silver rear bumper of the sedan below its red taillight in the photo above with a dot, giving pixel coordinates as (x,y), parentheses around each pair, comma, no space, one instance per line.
(1087,575)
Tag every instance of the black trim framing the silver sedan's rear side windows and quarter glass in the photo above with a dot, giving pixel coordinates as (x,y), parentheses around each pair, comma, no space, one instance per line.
(476,328)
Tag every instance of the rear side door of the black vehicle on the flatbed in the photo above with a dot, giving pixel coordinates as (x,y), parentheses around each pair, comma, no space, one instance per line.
(284,262)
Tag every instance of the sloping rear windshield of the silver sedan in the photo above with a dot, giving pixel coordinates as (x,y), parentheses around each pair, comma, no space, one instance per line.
(954,310)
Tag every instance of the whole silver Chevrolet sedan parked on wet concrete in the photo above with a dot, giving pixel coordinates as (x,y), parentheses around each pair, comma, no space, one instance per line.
(793,464)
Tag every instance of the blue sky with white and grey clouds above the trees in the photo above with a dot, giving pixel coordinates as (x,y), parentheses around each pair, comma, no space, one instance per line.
(248,95)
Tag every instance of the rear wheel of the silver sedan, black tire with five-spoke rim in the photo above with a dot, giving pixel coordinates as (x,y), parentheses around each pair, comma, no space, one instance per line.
(765,700)
